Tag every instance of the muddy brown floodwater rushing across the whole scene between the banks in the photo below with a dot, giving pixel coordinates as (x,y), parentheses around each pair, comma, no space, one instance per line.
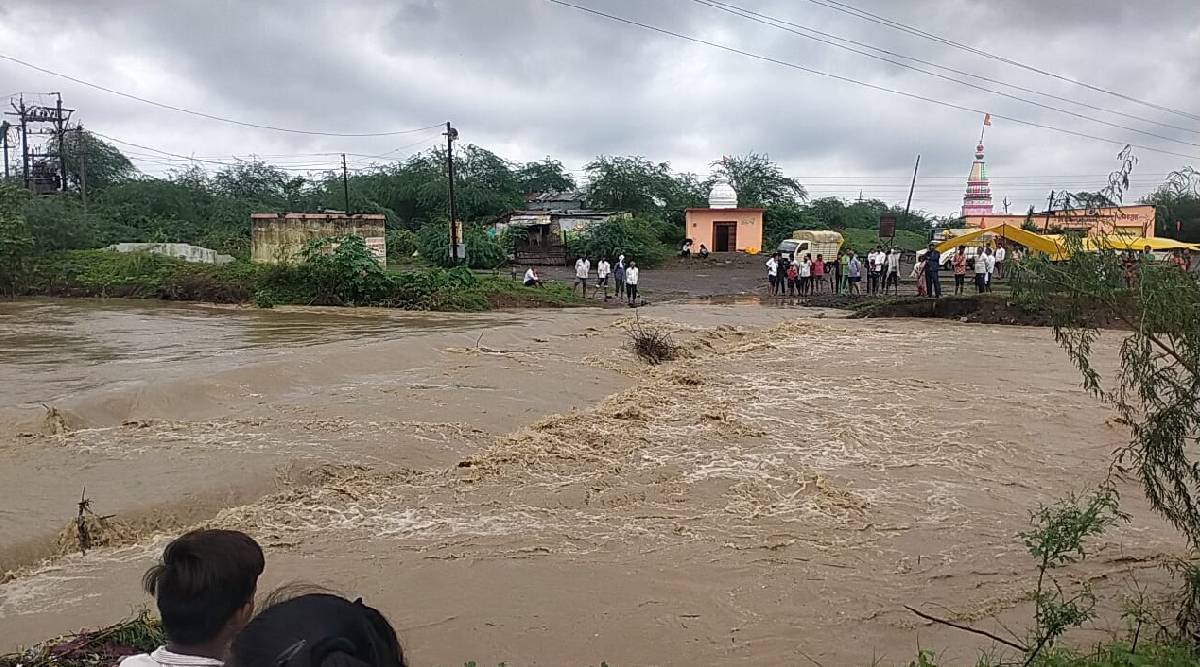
(518,488)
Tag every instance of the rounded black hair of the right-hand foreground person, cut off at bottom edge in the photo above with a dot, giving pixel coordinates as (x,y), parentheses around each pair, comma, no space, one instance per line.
(317,630)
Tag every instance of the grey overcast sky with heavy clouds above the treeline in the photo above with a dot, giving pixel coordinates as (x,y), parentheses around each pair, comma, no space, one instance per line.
(530,79)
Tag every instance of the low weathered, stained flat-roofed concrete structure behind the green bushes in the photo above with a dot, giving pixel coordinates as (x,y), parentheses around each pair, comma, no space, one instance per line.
(279,238)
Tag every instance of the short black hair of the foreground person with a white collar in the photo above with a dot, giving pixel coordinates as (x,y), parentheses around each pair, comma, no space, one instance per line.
(205,578)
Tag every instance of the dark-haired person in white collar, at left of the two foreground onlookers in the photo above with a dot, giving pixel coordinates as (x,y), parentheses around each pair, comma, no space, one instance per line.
(205,588)
